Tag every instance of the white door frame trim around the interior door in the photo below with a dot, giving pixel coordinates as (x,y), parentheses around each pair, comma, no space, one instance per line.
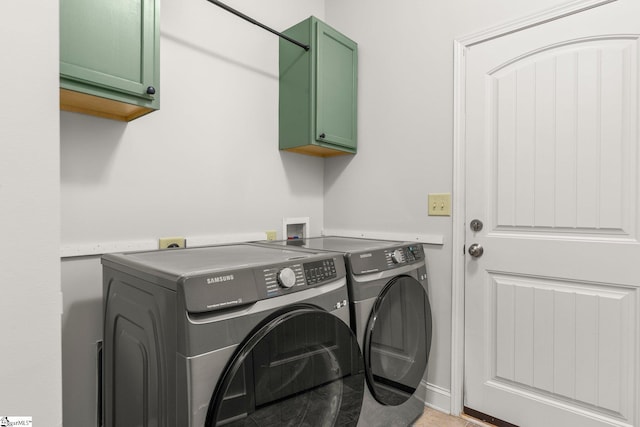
(459,174)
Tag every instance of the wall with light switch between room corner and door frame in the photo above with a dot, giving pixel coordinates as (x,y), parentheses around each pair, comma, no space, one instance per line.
(405,132)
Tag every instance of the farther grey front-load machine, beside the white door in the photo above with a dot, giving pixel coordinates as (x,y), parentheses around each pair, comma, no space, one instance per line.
(390,315)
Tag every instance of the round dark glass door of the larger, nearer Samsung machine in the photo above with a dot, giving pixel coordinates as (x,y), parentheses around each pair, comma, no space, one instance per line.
(302,366)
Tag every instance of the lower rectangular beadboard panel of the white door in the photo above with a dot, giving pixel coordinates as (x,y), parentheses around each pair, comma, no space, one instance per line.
(563,340)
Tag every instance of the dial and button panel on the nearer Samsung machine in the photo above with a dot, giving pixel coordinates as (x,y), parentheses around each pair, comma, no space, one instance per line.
(282,279)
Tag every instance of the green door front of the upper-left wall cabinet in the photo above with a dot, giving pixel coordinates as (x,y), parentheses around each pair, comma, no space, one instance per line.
(109,43)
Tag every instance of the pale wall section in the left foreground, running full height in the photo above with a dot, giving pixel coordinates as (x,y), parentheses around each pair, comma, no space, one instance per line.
(30,301)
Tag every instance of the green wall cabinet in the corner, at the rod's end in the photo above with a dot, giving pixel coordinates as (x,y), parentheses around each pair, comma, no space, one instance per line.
(318,91)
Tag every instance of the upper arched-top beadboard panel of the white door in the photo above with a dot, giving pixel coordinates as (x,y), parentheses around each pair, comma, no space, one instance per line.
(563,128)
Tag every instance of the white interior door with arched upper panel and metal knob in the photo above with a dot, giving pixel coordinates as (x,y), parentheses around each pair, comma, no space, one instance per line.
(551,307)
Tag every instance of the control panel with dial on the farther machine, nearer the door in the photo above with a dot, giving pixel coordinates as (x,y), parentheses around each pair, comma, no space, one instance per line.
(386,259)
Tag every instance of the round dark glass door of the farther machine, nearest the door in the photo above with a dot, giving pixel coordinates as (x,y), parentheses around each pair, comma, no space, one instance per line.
(397,340)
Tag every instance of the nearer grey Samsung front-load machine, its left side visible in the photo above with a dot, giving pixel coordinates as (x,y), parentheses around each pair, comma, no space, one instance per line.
(238,335)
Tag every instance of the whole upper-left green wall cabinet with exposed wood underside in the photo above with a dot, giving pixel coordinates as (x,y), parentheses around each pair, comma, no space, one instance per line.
(109,57)
